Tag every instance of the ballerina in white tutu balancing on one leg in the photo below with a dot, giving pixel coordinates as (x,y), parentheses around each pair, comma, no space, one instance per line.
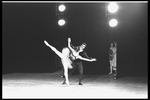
(65,59)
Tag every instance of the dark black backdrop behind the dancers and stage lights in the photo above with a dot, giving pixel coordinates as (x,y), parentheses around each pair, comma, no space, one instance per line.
(26,25)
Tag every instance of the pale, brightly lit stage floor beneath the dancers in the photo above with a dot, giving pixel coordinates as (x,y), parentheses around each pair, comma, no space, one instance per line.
(48,85)
